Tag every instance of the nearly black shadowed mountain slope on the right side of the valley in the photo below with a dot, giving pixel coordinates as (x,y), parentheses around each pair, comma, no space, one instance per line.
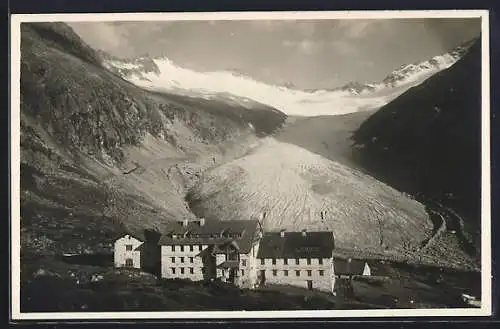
(427,141)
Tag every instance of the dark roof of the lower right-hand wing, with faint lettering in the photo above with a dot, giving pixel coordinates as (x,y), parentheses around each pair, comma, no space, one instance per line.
(296,245)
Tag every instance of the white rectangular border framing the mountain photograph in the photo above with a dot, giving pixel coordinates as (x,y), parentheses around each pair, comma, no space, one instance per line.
(486,271)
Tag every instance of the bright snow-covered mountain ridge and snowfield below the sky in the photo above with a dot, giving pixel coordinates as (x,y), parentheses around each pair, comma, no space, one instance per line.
(162,74)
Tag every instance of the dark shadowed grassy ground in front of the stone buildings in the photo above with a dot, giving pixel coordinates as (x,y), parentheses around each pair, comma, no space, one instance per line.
(74,288)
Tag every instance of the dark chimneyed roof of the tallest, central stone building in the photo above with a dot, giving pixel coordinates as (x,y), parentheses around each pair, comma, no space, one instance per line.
(241,233)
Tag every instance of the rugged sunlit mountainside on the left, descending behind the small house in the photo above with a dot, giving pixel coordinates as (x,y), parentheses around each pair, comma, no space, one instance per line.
(83,132)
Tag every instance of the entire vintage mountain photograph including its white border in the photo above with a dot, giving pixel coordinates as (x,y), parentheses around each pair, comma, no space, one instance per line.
(230,165)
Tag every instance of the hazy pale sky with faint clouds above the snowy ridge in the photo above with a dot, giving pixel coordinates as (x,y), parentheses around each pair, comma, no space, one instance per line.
(309,54)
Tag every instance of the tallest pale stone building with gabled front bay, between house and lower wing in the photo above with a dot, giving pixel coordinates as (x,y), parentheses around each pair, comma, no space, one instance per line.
(202,250)
